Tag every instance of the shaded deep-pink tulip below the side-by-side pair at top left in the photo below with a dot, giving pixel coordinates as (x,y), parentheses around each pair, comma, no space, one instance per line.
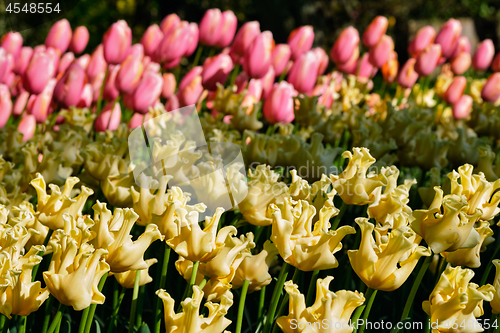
(70,86)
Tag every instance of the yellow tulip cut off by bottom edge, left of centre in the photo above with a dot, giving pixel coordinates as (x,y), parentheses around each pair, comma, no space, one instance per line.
(189,320)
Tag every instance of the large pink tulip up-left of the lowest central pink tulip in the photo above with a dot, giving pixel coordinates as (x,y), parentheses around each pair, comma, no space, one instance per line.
(258,56)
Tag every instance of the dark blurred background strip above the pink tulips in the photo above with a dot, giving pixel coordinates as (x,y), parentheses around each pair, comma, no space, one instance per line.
(279,16)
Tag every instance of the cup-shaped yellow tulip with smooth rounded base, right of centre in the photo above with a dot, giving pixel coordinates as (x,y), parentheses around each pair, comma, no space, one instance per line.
(386,265)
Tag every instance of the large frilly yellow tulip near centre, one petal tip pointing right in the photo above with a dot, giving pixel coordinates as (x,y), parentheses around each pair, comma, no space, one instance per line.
(301,245)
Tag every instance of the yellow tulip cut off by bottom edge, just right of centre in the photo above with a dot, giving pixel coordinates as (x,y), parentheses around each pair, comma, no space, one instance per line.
(334,308)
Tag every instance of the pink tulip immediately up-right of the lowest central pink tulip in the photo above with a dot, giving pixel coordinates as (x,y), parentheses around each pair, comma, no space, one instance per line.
(304,72)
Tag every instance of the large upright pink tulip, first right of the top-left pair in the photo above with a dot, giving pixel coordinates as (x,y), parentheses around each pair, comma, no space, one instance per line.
(116,42)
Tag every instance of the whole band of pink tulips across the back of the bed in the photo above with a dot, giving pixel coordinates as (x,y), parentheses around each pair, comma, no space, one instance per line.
(47,77)
